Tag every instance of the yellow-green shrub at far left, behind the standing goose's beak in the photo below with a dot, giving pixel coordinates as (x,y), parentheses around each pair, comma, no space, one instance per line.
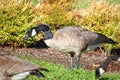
(15,17)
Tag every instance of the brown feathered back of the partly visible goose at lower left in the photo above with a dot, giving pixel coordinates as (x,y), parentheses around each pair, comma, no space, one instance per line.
(10,66)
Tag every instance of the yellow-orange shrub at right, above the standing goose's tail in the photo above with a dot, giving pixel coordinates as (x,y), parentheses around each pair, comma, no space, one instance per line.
(101,17)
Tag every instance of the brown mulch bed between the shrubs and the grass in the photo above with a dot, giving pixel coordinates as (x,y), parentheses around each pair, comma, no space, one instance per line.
(89,61)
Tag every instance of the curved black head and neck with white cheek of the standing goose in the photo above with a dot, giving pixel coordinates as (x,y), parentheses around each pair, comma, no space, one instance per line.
(34,31)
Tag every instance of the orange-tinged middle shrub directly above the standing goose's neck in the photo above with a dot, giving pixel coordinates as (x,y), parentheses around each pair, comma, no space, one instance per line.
(56,13)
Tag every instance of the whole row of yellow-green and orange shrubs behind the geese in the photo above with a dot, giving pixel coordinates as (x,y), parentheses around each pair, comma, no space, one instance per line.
(17,16)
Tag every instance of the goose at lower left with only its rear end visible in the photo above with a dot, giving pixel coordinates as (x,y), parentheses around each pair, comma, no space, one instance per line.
(12,68)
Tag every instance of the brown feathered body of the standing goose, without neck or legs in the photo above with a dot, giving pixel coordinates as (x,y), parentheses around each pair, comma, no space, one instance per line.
(76,39)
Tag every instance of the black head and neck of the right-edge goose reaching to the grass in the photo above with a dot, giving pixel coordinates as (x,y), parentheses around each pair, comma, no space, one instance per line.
(102,68)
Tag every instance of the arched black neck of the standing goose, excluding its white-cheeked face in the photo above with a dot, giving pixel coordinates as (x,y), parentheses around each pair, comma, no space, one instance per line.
(47,32)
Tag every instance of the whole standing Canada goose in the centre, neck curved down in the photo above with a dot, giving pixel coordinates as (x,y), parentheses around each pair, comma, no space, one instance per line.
(70,39)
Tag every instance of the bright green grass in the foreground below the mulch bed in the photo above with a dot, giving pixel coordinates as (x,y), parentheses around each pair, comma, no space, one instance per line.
(58,72)
